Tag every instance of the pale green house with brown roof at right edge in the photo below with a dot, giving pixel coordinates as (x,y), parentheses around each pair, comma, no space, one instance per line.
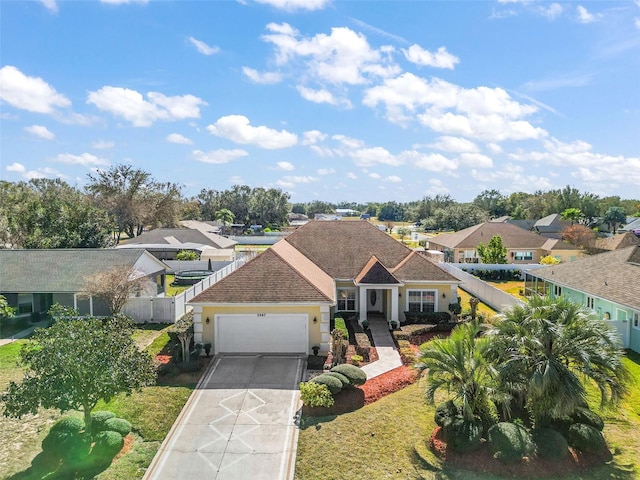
(607,283)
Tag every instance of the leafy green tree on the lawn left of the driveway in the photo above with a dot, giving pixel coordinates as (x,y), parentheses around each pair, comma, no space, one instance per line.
(75,363)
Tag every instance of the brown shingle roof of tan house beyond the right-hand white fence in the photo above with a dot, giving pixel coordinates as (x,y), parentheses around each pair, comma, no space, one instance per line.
(512,236)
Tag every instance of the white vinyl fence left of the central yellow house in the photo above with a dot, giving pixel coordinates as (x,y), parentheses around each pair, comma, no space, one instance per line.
(170,309)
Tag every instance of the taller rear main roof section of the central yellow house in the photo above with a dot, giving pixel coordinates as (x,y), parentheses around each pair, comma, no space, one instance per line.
(342,248)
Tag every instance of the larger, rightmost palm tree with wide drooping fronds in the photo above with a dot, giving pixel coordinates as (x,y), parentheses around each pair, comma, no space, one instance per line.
(545,350)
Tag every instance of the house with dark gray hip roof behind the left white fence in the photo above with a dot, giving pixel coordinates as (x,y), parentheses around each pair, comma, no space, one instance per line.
(165,243)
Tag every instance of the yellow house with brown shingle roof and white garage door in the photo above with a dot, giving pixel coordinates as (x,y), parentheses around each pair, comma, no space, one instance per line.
(282,301)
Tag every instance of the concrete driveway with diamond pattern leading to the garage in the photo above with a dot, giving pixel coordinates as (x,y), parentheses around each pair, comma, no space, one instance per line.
(238,424)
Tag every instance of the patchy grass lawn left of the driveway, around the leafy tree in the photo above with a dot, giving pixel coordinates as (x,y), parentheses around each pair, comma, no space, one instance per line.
(151,412)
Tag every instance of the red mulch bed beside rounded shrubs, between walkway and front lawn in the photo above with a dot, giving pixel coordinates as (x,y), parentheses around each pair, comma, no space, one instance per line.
(351,399)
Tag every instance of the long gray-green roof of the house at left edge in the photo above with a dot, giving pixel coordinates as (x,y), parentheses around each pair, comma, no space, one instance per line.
(65,270)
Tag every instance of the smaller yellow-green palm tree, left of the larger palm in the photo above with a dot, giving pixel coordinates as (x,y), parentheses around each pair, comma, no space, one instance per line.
(458,364)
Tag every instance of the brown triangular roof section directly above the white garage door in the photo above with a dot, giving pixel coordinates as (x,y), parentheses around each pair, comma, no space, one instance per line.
(268,278)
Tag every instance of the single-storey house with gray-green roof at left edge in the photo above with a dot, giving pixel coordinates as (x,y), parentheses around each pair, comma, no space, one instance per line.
(33,280)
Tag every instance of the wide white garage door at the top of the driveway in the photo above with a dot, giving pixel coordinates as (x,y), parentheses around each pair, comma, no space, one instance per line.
(266,333)
